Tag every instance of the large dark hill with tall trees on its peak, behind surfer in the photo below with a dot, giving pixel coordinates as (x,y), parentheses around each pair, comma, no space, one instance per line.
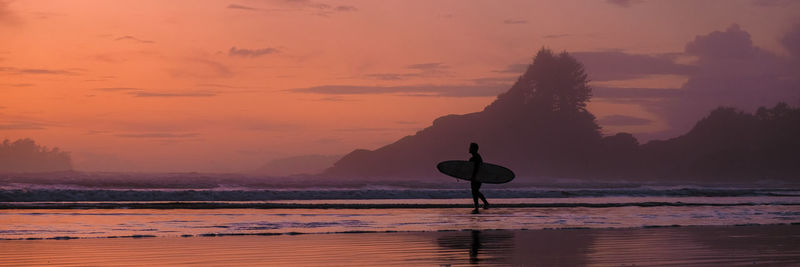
(539,126)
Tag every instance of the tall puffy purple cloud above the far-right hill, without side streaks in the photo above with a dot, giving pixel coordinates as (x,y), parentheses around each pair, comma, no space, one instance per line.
(731,71)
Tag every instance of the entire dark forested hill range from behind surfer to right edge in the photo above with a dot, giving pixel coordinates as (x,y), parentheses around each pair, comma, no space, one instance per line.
(540,128)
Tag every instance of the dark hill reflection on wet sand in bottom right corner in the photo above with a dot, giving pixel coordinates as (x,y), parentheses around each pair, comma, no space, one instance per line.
(722,245)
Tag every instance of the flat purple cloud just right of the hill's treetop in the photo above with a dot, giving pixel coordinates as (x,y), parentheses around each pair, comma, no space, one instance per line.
(615,65)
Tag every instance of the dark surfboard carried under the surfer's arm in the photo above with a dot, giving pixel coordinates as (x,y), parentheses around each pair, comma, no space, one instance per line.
(487,173)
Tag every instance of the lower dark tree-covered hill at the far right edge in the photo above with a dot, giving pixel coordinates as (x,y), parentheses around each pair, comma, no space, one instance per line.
(729,145)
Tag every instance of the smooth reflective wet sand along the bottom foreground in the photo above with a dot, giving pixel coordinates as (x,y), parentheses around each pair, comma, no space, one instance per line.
(696,245)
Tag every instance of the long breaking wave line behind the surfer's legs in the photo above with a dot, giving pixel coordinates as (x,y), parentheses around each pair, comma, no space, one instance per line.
(79,194)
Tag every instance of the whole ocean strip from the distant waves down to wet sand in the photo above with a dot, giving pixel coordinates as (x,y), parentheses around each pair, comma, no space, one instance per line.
(59,211)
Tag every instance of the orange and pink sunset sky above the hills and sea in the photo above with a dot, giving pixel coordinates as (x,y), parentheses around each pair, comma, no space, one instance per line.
(226,86)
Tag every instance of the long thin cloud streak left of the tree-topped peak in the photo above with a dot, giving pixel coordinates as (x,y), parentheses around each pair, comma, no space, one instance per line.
(412,90)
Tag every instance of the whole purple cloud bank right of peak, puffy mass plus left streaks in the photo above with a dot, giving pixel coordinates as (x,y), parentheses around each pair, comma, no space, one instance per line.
(729,70)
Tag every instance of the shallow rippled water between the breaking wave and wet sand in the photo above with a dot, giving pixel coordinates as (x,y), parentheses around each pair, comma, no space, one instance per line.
(335,216)
